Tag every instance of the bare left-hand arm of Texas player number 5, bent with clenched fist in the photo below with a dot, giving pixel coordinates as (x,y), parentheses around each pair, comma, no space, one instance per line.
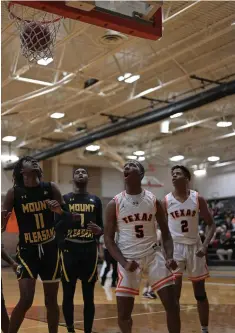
(110,227)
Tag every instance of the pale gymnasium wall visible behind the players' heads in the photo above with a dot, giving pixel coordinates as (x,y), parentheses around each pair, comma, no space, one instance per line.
(105,182)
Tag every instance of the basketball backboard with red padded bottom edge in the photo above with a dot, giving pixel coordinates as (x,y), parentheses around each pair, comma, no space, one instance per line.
(137,18)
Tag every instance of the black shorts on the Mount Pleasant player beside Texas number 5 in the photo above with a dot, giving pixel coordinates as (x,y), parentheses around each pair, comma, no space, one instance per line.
(79,261)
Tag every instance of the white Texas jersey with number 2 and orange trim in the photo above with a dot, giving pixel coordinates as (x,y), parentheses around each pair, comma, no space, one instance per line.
(183,218)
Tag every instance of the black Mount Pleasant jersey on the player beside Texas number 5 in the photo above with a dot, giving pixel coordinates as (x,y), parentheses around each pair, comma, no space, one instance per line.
(90,208)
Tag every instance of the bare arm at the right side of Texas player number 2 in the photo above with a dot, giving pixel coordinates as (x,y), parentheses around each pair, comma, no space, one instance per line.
(208,219)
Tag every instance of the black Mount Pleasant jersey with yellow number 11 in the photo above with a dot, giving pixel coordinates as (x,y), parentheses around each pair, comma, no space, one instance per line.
(35,220)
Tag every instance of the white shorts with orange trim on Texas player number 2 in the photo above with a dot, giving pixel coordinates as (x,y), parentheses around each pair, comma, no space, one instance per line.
(196,267)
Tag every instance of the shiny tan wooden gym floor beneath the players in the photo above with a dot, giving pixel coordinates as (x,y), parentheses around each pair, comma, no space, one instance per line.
(148,314)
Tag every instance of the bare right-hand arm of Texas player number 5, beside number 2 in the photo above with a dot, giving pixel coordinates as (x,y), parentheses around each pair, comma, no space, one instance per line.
(166,236)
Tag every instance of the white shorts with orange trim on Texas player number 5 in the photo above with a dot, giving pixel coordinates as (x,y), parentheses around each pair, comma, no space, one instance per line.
(159,276)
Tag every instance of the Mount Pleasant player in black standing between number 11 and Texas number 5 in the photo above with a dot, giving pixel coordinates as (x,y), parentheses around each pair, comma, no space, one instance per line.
(80,252)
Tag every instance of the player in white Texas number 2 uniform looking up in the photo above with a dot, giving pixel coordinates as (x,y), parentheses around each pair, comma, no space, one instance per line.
(183,207)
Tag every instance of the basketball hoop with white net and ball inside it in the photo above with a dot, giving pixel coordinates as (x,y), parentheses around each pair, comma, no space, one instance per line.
(38,30)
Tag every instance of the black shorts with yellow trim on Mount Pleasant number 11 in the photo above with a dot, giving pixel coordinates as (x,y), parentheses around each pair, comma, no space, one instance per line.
(39,260)
